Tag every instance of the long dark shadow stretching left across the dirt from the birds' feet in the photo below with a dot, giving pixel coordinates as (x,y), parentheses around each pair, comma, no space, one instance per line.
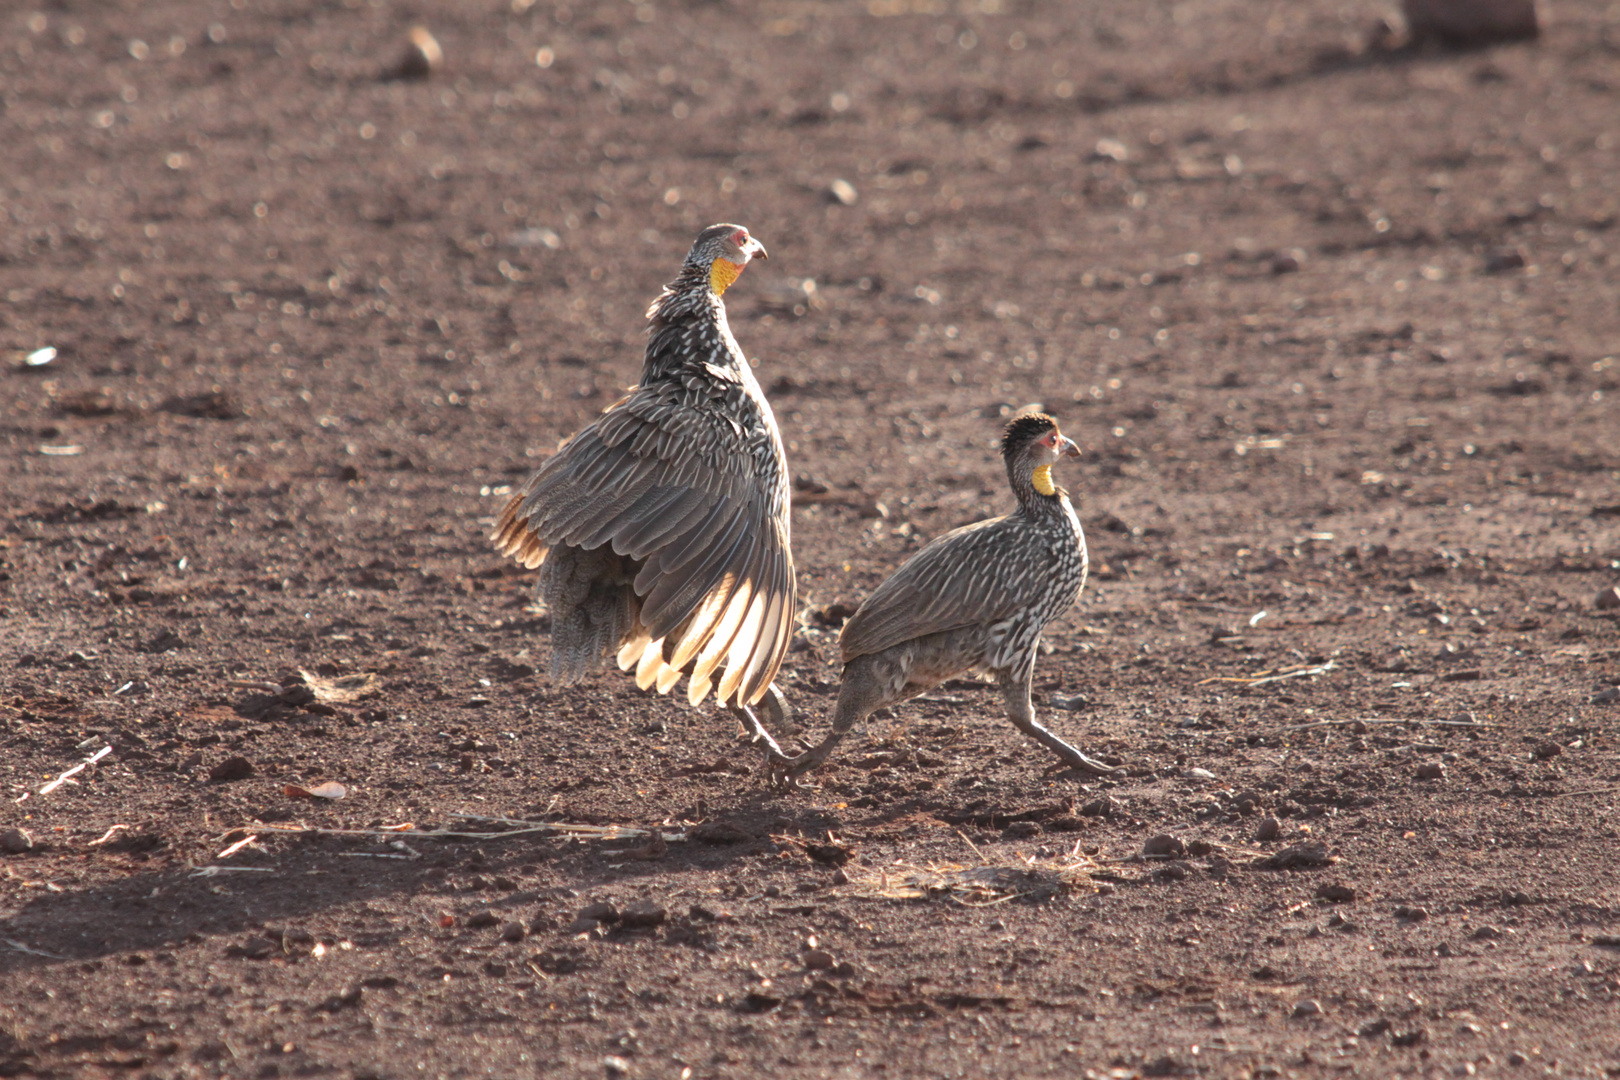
(297,877)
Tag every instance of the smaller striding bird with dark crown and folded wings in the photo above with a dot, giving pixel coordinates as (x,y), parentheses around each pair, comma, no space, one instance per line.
(974,600)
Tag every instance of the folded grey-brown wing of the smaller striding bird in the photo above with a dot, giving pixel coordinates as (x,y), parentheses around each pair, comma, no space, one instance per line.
(978,574)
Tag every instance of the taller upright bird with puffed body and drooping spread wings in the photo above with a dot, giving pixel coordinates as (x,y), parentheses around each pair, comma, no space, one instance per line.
(662,530)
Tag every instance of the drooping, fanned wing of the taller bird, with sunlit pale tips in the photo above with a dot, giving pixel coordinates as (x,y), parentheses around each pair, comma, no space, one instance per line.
(702,508)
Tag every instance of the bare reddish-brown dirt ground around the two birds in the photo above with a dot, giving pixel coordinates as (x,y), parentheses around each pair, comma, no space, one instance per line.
(1339,333)
